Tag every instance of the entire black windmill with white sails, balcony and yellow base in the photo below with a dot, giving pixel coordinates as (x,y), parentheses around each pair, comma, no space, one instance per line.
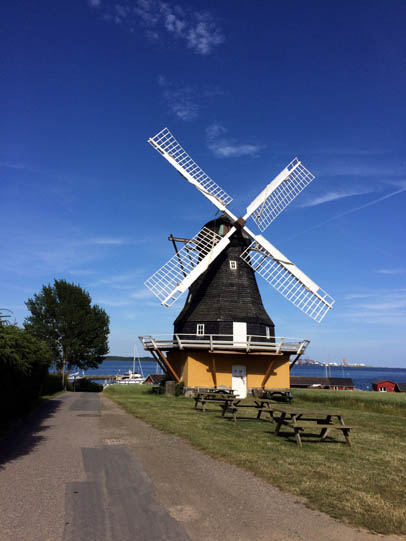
(223,335)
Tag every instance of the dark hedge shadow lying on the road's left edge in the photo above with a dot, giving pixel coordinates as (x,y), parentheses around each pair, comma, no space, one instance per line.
(28,433)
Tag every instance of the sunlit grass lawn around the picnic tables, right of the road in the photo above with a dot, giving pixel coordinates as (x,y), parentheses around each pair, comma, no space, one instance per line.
(363,485)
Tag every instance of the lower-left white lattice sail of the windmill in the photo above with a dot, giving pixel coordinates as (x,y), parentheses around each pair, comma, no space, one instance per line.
(172,279)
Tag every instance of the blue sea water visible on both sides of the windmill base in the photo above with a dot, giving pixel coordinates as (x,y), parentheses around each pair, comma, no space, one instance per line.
(361,376)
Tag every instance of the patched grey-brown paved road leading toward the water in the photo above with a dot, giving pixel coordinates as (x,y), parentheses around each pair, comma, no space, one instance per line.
(82,469)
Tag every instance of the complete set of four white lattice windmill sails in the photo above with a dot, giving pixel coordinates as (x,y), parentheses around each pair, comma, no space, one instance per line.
(167,283)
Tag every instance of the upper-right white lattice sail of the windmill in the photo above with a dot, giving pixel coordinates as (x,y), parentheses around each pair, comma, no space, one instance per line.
(279,193)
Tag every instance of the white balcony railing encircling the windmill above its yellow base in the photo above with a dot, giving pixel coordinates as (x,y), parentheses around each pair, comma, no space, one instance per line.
(218,342)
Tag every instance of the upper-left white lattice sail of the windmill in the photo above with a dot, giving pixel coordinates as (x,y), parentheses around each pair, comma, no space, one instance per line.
(172,151)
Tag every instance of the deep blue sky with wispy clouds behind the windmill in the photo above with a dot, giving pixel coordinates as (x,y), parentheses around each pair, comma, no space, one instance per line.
(245,87)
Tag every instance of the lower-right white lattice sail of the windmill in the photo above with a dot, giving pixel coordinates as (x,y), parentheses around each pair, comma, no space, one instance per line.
(287,278)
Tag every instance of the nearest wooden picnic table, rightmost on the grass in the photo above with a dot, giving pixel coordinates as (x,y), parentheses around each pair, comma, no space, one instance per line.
(300,419)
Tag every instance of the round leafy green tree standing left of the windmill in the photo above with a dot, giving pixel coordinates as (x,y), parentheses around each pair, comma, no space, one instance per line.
(75,331)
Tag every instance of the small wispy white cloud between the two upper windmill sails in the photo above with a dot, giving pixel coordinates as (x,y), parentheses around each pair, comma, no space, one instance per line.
(226,147)
